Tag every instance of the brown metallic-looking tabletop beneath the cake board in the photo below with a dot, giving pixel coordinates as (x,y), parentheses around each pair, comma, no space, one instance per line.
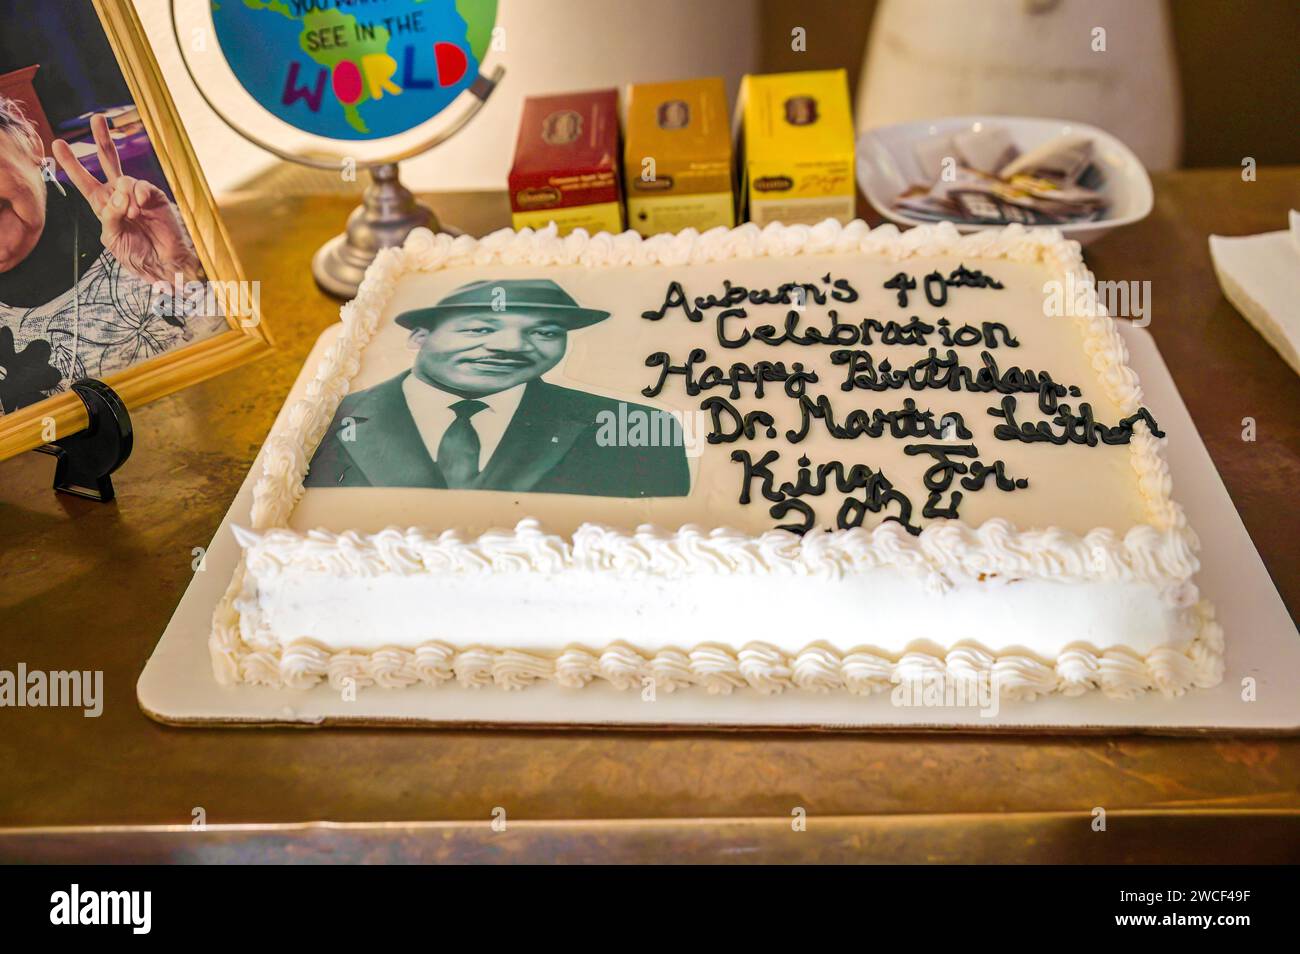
(92,587)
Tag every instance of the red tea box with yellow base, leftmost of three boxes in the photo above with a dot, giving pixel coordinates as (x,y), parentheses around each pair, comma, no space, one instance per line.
(567,163)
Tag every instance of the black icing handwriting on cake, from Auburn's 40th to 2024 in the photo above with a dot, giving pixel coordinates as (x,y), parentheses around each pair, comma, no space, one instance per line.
(856,489)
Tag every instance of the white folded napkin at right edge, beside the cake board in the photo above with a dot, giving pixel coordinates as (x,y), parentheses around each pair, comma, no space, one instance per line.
(1260,275)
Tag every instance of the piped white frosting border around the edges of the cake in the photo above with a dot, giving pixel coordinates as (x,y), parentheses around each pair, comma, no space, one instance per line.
(1162,553)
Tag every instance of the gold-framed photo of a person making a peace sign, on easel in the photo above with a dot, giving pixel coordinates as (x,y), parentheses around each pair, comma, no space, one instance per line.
(114,262)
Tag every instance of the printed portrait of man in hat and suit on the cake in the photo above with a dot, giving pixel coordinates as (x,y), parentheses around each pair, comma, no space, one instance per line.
(474,413)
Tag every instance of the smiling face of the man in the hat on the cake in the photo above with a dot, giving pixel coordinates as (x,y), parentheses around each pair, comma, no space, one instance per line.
(488,353)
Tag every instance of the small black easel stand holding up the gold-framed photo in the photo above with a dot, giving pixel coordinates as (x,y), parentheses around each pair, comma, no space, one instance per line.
(88,458)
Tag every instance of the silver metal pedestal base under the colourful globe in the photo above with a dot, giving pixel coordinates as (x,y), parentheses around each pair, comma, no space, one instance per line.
(385,218)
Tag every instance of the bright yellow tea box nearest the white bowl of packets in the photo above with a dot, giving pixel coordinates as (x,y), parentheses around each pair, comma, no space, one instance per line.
(796,145)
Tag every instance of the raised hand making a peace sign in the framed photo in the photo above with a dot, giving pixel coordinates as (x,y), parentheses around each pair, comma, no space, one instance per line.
(140,226)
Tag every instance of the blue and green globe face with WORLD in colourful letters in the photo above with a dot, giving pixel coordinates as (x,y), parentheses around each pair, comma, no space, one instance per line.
(354,70)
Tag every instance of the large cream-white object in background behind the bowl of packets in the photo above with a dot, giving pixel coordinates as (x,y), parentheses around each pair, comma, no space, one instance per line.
(1110,63)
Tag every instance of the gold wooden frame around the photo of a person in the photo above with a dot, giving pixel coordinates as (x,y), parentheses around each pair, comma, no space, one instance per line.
(246,337)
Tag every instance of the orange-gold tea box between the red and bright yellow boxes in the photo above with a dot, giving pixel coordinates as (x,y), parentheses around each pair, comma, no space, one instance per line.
(678,157)
